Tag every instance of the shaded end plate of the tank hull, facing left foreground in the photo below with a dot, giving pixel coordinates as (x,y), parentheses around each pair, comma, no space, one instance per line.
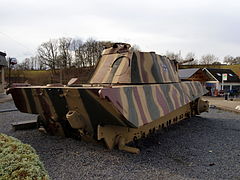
(55,103)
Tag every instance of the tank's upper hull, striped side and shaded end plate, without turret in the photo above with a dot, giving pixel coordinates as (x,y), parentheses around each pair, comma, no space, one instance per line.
(63,109)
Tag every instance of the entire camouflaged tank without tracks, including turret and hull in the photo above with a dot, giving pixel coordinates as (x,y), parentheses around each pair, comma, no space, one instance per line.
(130,95)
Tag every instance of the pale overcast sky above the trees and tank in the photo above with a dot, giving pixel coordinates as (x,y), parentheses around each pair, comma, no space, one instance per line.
(199,26)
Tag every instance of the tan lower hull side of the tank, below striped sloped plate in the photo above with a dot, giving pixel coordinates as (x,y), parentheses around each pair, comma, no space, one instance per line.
(119,136)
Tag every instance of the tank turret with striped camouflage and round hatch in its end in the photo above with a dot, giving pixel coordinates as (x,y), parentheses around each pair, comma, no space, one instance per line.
(130,67)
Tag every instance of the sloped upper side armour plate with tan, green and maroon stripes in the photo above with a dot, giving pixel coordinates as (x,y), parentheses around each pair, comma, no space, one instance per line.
(143,104)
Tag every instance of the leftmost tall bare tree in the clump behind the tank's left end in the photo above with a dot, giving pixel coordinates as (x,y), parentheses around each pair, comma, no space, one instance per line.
(48,53)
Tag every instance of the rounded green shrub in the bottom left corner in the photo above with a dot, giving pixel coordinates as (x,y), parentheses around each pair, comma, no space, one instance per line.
(19,161)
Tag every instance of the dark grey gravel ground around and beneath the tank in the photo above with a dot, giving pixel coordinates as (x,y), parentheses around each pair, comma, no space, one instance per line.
(205,147)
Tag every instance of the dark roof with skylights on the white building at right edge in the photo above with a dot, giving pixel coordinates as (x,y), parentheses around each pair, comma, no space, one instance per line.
(217,73)
